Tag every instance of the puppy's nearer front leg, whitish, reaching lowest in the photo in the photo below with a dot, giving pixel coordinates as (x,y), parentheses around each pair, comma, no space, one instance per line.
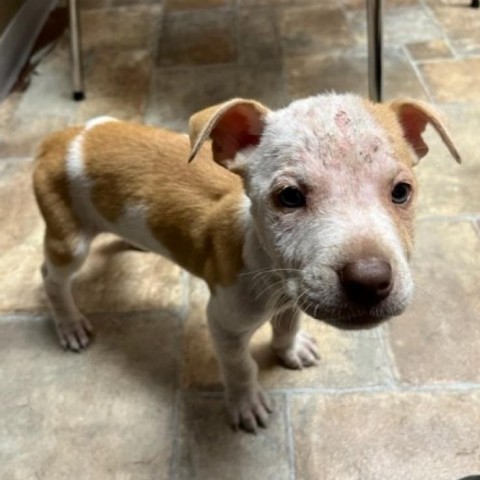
(247,403)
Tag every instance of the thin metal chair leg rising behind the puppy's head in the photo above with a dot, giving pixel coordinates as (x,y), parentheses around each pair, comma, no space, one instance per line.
(375,49)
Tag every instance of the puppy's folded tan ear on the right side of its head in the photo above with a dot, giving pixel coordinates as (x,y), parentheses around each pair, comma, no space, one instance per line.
(414,116)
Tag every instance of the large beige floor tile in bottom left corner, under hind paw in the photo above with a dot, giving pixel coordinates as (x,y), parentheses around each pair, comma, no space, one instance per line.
(106,413)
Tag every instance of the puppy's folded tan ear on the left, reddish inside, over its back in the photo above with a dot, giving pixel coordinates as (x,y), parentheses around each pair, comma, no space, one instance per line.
(232,126)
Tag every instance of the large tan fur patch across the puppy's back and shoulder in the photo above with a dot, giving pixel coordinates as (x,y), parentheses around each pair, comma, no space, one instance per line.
(192,209)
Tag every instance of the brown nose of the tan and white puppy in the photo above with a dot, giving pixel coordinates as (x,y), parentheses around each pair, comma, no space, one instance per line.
(367,281)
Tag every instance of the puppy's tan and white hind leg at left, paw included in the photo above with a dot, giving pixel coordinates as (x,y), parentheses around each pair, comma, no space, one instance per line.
(62,260)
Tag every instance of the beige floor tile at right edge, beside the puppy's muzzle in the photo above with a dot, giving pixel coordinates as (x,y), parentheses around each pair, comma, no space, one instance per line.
(437,339)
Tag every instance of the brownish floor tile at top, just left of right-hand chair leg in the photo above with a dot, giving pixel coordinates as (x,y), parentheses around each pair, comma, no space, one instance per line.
(300,32)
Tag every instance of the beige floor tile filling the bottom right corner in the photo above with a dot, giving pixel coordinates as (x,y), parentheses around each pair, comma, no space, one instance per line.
(395,436)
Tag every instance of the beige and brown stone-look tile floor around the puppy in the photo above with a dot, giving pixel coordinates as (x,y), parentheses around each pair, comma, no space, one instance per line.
(144,402)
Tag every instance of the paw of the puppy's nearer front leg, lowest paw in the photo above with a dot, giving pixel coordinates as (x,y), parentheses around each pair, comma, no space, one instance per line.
(249,410)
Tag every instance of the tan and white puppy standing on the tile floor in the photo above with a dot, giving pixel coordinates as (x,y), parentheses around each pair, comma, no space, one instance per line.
(313,211)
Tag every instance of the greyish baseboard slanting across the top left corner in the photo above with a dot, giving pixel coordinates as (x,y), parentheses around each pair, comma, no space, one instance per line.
(18,39)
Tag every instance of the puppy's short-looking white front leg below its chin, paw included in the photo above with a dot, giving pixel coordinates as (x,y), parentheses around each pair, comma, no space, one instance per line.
(294,347)
